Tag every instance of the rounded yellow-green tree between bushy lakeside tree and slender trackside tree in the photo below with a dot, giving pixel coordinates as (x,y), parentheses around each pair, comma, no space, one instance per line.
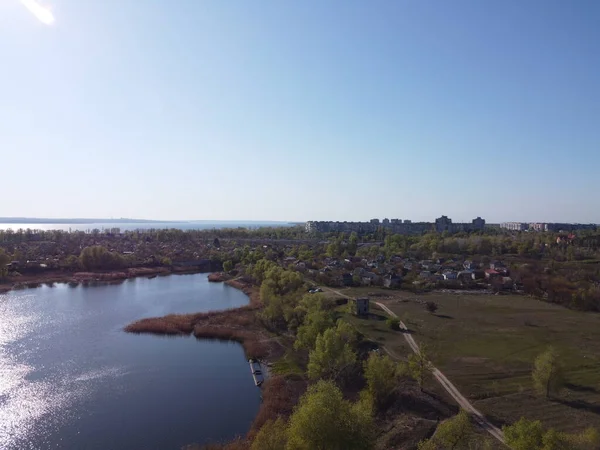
(381,374)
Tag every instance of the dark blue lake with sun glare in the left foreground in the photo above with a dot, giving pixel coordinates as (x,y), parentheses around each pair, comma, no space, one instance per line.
(71,378)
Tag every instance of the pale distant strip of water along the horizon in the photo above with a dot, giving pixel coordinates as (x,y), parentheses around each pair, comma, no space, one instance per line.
(199,225)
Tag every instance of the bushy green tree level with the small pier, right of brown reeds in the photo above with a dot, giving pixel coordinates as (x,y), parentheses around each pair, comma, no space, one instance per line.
(332,355)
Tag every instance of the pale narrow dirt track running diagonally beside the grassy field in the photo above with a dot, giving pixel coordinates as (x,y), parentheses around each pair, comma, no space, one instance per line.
(441,378)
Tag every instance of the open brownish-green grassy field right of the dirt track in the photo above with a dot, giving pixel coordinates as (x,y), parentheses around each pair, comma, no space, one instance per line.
(486,345)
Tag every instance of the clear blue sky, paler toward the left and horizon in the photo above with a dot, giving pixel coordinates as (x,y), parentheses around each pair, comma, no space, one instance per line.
(311,110)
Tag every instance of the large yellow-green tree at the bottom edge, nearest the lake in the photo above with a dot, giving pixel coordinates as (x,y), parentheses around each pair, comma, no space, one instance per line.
(324,420)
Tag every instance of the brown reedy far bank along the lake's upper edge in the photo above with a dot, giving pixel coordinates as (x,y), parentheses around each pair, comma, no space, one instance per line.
(76,278)
